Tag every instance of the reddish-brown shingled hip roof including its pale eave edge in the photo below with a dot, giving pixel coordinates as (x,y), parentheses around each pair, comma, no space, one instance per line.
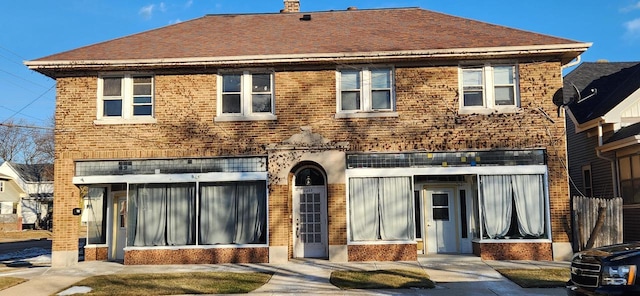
(311,35)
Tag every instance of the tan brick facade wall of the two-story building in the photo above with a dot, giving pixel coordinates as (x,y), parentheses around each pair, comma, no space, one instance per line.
(427,104)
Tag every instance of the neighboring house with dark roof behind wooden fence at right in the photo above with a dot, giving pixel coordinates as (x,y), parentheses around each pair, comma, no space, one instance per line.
(603,135)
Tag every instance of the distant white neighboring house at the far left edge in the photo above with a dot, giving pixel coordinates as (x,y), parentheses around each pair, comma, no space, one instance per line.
(36,180)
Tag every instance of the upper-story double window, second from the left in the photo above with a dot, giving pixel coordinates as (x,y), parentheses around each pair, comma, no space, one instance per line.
(246,96)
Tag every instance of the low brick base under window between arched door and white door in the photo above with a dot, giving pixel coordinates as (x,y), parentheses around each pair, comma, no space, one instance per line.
(402,252)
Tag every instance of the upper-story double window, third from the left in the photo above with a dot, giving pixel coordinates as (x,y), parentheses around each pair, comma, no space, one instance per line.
(365,90)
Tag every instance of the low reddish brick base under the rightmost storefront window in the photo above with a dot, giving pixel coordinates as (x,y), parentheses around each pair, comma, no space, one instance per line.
(513,251)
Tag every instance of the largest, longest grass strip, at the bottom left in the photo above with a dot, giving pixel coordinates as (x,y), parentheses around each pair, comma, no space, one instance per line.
(174,283)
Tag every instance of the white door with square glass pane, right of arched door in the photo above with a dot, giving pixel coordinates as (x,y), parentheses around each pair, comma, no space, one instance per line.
(441,222)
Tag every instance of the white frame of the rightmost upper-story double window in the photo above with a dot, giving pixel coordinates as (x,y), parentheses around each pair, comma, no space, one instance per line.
(488,87)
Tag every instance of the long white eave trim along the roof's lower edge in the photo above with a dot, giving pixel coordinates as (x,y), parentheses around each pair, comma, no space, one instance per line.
(298,58)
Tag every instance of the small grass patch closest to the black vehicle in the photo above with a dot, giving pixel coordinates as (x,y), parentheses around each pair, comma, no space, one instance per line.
(537,278)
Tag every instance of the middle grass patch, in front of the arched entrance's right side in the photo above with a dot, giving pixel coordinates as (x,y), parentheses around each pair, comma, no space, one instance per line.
(382,279)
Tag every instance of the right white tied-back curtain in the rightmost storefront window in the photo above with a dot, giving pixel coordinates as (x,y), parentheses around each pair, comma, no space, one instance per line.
(529,198)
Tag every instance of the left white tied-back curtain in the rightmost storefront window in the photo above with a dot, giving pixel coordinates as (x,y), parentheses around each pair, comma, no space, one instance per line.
(496,204)
